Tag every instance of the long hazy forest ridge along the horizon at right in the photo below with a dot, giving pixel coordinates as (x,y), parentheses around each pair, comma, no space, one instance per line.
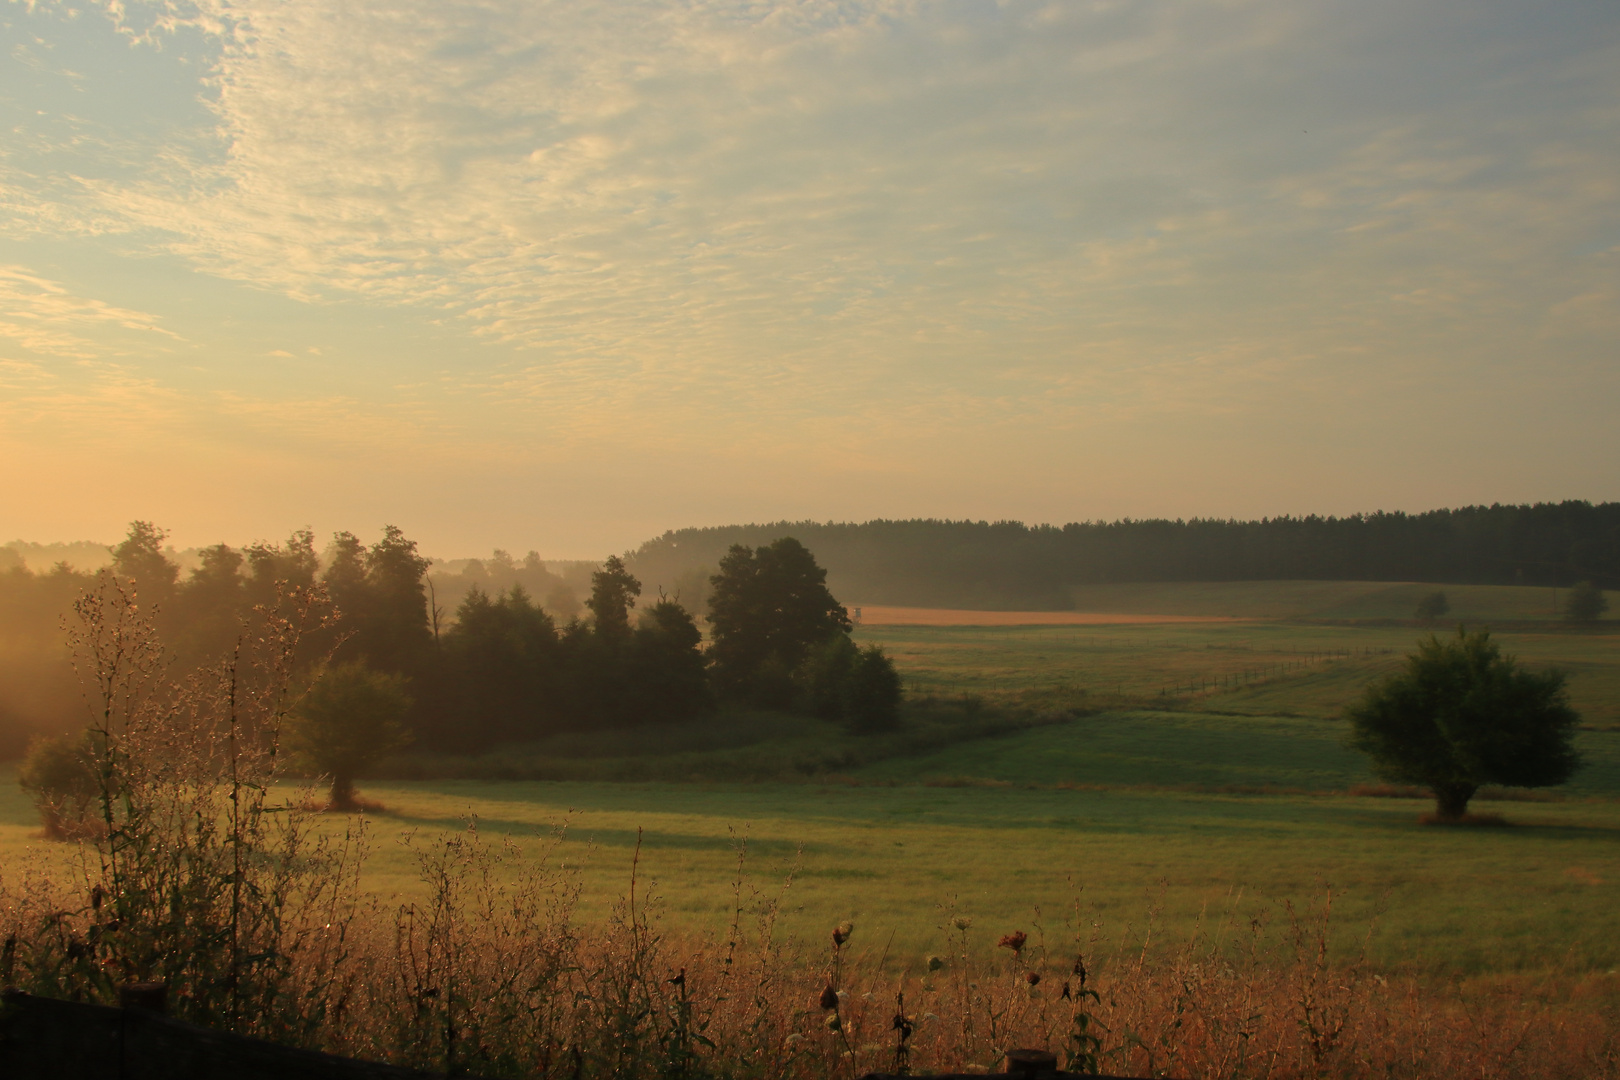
(1013,566)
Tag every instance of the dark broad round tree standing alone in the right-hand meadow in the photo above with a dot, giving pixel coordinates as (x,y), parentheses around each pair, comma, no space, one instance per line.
(1464,715)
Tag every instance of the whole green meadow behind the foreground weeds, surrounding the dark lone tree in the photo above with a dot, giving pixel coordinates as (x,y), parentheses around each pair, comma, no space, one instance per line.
(1169,776)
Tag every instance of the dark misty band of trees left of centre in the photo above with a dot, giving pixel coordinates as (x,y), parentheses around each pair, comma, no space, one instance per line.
(505,668)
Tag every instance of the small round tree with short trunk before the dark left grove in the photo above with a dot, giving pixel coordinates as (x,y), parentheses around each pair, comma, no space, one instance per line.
(351,720)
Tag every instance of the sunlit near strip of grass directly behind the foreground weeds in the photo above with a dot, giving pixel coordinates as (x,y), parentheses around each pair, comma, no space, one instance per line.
(1533,896)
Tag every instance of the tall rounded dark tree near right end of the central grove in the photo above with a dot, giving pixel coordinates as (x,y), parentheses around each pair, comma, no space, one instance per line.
(769,610)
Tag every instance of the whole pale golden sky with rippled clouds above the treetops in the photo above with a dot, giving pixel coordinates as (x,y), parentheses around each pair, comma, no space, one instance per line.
(561,276)
